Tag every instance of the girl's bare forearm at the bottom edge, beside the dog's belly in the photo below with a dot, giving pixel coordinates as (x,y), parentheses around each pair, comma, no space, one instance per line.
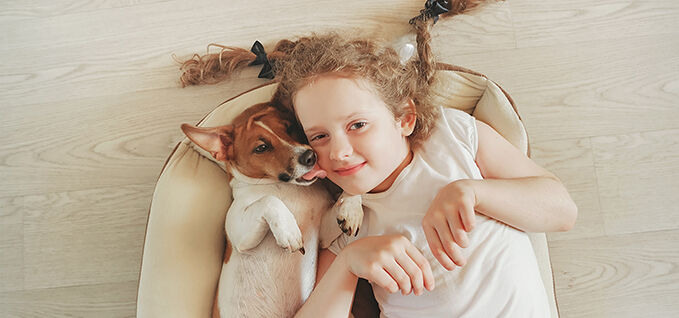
(333,295)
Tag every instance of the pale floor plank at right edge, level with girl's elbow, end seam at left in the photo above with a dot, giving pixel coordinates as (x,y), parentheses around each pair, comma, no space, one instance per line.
(638,182)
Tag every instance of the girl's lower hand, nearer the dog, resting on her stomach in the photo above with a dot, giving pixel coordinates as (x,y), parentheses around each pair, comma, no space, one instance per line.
(390,261)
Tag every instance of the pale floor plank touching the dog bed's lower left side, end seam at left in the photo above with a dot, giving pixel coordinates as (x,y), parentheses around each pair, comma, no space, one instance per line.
(99,230)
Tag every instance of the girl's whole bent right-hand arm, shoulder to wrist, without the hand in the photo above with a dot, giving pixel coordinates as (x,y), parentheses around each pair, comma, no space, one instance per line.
(516,190)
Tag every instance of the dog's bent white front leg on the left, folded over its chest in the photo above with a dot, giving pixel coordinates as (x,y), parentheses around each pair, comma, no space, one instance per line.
(248,228)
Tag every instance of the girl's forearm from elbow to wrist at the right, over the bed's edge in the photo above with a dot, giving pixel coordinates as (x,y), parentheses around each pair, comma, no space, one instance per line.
(531,204)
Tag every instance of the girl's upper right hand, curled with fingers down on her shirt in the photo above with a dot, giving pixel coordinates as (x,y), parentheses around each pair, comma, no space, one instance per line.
(449,218)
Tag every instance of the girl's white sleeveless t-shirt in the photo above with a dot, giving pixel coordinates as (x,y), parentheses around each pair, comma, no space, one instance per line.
(501,277)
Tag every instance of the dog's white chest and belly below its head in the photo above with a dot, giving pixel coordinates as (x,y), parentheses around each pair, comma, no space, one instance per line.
(267,280)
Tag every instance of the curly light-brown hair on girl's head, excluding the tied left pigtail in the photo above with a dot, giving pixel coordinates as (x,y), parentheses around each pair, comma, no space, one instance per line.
(369,59)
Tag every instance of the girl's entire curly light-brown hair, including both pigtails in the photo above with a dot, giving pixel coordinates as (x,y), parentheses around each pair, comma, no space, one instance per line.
(297,63)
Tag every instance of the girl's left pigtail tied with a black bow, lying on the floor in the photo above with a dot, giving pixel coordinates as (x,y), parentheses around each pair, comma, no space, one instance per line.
(213,68)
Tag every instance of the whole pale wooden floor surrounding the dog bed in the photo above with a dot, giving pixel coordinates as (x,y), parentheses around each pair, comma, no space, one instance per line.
(90,107)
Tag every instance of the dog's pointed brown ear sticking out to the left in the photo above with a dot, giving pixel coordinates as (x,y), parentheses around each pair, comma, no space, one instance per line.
(218,141)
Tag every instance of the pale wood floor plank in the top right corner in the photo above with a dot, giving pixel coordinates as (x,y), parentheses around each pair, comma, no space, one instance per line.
(583,20)
